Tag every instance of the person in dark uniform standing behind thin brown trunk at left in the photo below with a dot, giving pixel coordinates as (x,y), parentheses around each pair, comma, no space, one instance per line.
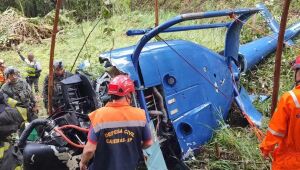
(59,74)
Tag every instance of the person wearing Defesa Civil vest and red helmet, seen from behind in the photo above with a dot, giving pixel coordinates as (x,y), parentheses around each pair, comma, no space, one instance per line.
(118,131)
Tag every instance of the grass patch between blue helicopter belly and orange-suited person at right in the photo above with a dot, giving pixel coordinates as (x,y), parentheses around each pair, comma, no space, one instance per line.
(230,148)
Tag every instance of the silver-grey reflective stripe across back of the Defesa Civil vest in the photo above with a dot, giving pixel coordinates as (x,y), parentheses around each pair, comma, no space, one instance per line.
(119,124)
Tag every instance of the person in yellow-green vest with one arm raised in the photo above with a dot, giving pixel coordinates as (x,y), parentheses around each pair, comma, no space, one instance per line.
(33,70)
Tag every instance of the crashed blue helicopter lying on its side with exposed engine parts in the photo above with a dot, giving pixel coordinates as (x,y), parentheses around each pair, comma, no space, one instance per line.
(177,83)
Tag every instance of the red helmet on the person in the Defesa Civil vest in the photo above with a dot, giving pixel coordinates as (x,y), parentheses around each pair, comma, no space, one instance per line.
(121,85)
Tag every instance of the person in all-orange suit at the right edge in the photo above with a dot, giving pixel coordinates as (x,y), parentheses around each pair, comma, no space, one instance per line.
(282,140)
